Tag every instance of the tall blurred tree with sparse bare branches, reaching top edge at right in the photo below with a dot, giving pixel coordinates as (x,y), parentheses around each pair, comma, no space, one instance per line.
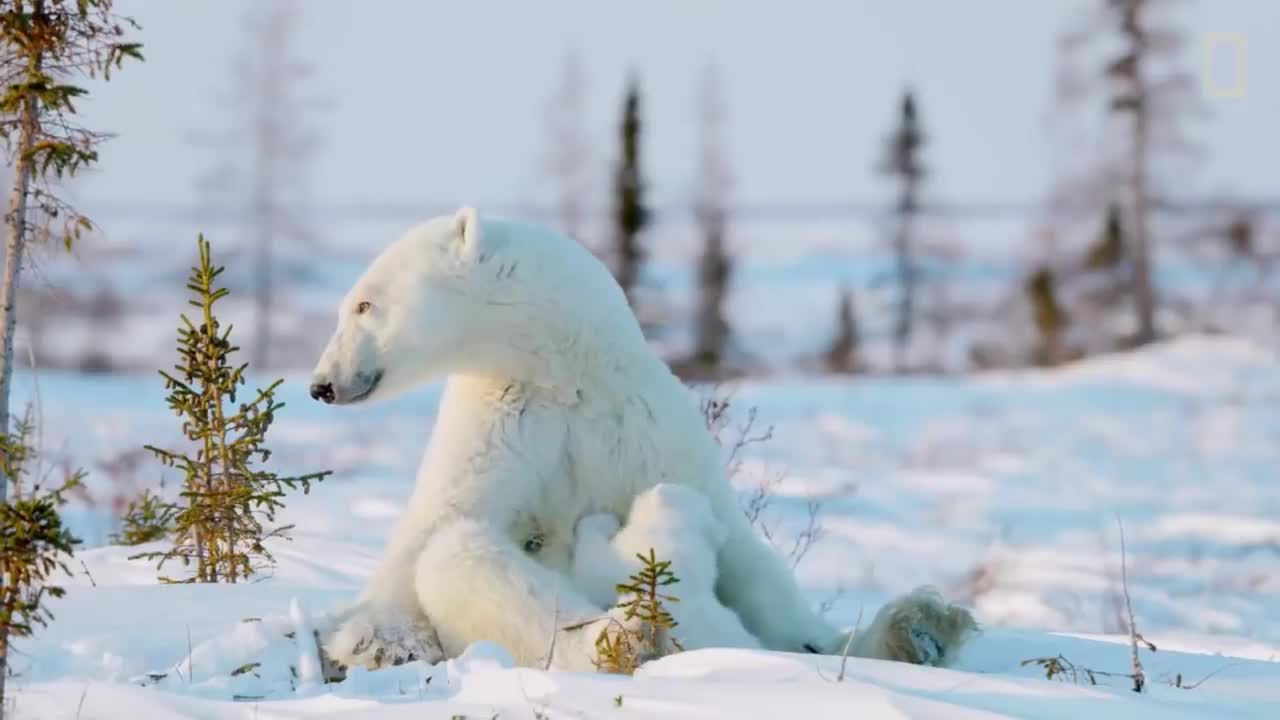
(1126,58)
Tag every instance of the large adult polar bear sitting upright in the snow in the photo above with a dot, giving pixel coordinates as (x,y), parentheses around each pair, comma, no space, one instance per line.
(555,408)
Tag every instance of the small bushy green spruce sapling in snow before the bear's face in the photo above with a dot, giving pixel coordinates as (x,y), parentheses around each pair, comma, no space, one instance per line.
(227,503)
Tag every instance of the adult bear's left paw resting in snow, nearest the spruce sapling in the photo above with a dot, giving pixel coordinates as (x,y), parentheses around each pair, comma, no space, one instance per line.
(376,639)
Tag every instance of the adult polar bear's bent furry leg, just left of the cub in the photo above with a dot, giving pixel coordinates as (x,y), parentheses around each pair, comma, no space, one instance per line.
(481,586)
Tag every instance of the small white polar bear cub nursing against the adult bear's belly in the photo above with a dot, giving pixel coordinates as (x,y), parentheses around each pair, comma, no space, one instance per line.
(676,525)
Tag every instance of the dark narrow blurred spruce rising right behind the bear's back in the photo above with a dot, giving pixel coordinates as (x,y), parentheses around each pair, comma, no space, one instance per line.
(630,215)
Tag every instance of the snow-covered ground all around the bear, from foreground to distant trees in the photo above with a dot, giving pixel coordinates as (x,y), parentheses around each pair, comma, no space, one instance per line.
(1008,491)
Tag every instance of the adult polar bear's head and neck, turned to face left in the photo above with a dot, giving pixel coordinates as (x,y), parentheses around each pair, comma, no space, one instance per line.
(464,295)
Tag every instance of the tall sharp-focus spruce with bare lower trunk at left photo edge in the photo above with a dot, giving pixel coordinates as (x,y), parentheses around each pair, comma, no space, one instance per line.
(49,47)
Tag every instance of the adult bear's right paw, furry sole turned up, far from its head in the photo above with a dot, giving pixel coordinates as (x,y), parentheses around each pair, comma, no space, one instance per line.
(920,628)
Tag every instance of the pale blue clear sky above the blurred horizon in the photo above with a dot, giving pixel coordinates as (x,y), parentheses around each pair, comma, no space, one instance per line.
(445,103)
